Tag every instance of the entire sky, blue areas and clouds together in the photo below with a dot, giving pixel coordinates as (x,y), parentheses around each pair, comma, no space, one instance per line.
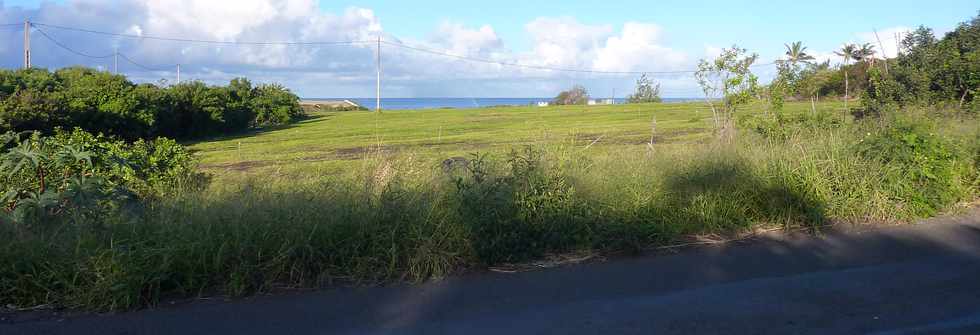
(600,36)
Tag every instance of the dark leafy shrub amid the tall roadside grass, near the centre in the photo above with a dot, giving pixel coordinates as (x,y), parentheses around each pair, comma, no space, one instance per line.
(519,213)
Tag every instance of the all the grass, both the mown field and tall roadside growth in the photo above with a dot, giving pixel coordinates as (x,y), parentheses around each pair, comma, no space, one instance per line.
(298,207)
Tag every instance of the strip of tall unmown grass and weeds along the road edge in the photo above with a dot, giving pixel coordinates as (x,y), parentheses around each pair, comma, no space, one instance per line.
(402,218)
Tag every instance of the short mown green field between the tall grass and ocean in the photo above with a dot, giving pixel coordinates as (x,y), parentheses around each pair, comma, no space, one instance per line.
(331,141)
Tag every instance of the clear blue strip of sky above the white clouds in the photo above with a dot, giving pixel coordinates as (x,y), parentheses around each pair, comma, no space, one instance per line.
(757,25)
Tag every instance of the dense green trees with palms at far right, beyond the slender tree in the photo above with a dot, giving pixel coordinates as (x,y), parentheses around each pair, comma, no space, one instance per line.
(927,70)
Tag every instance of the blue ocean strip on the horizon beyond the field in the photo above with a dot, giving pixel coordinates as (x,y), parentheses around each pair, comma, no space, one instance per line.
(436,103)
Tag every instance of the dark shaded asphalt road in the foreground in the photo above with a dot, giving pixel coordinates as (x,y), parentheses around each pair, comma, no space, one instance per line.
(918,279)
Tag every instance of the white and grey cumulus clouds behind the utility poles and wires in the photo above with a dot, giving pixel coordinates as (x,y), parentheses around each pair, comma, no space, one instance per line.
(333,70)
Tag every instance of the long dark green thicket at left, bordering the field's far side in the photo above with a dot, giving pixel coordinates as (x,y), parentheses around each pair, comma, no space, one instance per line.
(100,102)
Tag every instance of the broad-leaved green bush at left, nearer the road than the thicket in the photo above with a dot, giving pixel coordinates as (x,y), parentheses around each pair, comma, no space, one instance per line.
(70,175)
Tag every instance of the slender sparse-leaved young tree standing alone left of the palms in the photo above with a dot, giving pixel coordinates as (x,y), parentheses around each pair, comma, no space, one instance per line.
(728,78)
